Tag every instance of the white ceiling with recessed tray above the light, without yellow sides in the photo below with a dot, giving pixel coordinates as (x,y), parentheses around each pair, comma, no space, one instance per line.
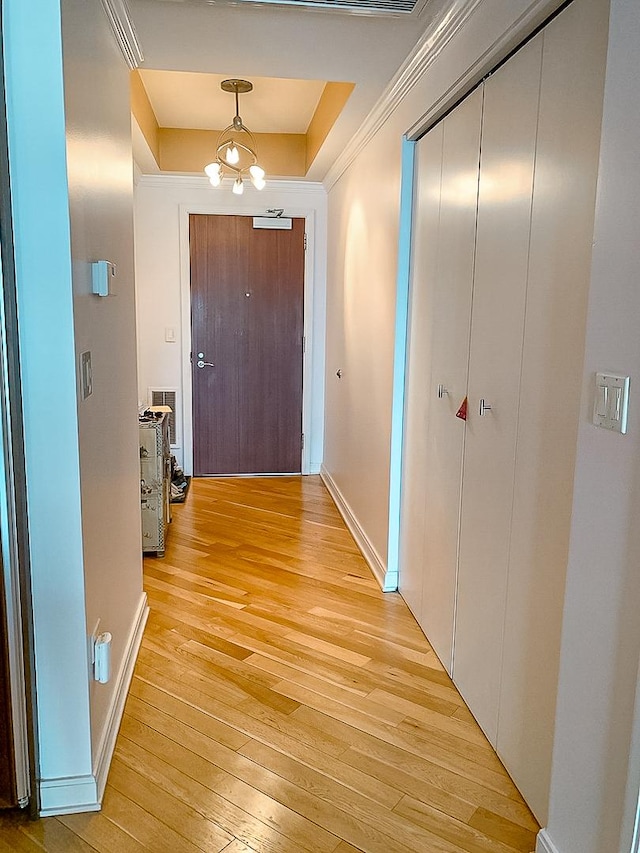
(288,52)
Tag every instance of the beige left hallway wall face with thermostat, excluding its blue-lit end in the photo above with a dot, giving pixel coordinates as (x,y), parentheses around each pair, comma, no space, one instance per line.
(100,174)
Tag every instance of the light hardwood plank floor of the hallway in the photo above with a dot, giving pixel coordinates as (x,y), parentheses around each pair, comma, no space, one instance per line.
(281,703)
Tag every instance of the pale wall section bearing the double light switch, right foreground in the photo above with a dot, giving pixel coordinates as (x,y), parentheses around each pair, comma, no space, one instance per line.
(593,777)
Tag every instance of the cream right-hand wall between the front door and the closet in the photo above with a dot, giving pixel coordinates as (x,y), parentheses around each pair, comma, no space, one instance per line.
(362,259)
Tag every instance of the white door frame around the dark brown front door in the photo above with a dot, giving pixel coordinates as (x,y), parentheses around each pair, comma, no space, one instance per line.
(185,309)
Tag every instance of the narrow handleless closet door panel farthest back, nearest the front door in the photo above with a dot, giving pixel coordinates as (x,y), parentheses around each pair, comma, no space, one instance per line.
(426,218)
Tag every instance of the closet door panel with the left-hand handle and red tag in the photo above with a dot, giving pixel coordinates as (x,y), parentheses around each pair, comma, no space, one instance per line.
(451,322)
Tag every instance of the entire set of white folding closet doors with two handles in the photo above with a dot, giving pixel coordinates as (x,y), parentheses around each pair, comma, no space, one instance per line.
(507,187)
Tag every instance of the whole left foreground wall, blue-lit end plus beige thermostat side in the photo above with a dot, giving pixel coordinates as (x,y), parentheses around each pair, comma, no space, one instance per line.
(81,457)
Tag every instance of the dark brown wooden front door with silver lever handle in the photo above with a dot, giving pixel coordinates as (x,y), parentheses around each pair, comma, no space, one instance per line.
(247,288)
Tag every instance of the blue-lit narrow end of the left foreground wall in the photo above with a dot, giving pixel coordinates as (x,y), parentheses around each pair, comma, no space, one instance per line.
(43,271)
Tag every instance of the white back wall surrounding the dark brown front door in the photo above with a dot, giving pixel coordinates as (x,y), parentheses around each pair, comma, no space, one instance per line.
(162,205)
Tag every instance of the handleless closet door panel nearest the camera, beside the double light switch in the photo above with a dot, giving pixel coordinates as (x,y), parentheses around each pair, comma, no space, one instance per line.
(575,45)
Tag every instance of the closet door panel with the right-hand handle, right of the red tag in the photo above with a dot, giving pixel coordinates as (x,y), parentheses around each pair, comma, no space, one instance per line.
(502,248)
